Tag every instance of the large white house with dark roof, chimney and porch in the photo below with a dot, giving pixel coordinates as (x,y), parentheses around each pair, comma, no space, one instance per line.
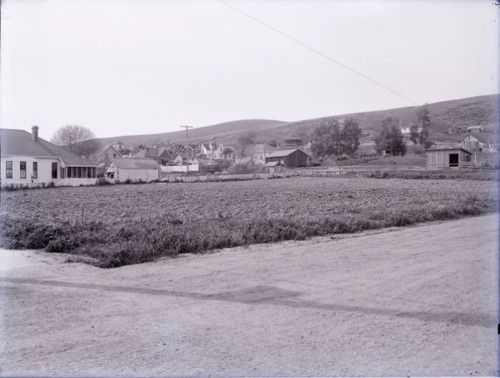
(26,159)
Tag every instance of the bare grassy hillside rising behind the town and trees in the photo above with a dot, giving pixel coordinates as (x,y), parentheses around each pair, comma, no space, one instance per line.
(482,110)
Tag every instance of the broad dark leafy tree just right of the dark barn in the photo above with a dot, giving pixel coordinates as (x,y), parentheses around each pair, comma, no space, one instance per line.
(330,139)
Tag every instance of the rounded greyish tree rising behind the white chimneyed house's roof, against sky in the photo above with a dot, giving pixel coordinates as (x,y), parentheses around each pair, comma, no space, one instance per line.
(77,139)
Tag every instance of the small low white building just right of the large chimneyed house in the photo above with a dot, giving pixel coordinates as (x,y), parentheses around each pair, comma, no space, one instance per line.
(134,169)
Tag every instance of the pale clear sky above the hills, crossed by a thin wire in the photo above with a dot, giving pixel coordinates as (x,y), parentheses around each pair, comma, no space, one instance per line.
(127,67)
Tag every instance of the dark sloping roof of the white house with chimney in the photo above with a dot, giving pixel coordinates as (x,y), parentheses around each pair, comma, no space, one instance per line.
(20,143)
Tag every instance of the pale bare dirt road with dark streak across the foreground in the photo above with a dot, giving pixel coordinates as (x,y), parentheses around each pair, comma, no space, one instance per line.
(411,301)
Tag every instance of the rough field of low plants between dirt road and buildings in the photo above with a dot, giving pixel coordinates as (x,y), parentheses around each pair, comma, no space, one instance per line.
(124,224)
